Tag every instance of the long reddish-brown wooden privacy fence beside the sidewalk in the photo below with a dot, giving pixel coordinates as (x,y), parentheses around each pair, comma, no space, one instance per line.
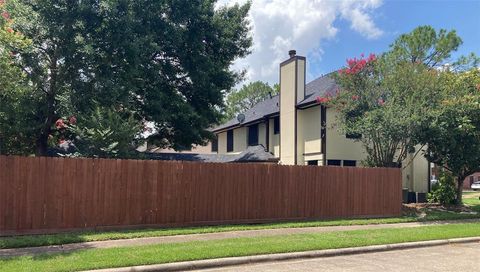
(41,195)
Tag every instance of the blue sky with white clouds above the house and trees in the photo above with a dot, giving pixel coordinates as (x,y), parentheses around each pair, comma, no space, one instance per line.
(330,31)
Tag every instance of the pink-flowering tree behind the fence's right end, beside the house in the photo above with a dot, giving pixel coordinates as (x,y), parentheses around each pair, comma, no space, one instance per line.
(380,101)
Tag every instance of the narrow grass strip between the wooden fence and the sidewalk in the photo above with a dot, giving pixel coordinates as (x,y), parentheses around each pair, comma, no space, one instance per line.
(77,237)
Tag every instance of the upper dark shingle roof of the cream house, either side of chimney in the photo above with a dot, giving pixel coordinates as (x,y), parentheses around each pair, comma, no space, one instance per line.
(318,87)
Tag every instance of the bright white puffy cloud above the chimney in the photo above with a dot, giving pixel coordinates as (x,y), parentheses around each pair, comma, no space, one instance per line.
(281,25)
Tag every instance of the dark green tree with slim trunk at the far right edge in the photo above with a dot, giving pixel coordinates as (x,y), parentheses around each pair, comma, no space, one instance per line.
(452,133)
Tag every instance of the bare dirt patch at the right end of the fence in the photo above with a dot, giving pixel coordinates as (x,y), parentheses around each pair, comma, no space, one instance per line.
(421,209)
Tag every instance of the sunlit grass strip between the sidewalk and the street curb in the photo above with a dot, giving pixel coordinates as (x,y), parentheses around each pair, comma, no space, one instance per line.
(166,253)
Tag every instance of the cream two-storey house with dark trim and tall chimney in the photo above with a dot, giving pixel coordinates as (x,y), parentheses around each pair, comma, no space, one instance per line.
(289,126)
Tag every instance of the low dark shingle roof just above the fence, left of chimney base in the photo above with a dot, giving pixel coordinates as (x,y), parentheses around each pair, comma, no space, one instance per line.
(251,154)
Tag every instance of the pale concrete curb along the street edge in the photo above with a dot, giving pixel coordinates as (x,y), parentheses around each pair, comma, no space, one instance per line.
(213,263)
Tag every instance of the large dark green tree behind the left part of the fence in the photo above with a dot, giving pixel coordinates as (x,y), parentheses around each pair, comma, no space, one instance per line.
(165,63)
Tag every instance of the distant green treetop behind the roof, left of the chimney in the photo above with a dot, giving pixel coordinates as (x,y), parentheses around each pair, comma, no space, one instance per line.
(245,98)
